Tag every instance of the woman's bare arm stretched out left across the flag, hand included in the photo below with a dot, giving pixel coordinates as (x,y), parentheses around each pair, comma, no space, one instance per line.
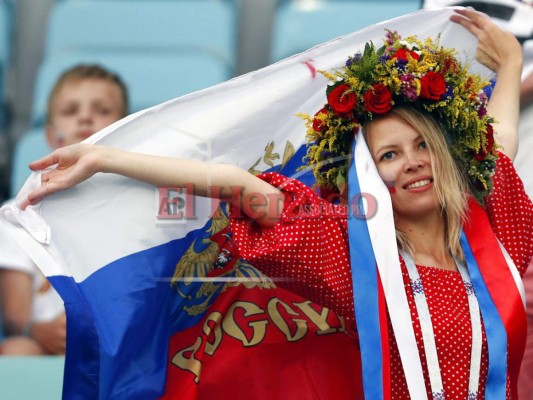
(79,162)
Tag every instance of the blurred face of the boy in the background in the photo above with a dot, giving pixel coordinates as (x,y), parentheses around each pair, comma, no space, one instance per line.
(82,108)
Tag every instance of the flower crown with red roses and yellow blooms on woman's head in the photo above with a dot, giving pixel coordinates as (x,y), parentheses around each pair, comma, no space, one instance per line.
(421,75)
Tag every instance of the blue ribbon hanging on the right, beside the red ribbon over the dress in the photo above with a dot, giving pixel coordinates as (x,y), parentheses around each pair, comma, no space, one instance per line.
(495,388)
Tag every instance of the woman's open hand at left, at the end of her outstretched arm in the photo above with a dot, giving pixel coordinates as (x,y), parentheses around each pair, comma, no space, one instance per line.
(74,164)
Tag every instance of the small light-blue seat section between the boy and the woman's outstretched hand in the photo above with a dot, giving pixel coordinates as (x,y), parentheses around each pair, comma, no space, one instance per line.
(30,147)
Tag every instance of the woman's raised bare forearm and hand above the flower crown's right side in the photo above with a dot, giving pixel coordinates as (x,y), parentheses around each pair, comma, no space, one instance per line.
(500,51)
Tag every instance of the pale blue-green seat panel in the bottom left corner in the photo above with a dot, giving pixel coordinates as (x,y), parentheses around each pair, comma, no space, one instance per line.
(39,377)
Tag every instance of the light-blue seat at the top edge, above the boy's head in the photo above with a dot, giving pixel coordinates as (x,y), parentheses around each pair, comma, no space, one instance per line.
(147,26)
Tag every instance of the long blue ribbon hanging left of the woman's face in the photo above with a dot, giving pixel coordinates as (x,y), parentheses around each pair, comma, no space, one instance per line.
(364,275)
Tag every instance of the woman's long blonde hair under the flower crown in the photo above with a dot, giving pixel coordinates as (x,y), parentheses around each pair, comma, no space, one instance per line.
(449,183)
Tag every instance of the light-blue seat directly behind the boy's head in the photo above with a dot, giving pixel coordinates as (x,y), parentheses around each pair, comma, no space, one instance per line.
(151,79)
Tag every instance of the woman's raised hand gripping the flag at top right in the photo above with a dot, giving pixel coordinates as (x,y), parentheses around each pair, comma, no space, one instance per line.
(496,48)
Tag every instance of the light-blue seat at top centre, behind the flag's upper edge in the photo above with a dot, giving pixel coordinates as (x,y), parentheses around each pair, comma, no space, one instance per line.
(301,25)
